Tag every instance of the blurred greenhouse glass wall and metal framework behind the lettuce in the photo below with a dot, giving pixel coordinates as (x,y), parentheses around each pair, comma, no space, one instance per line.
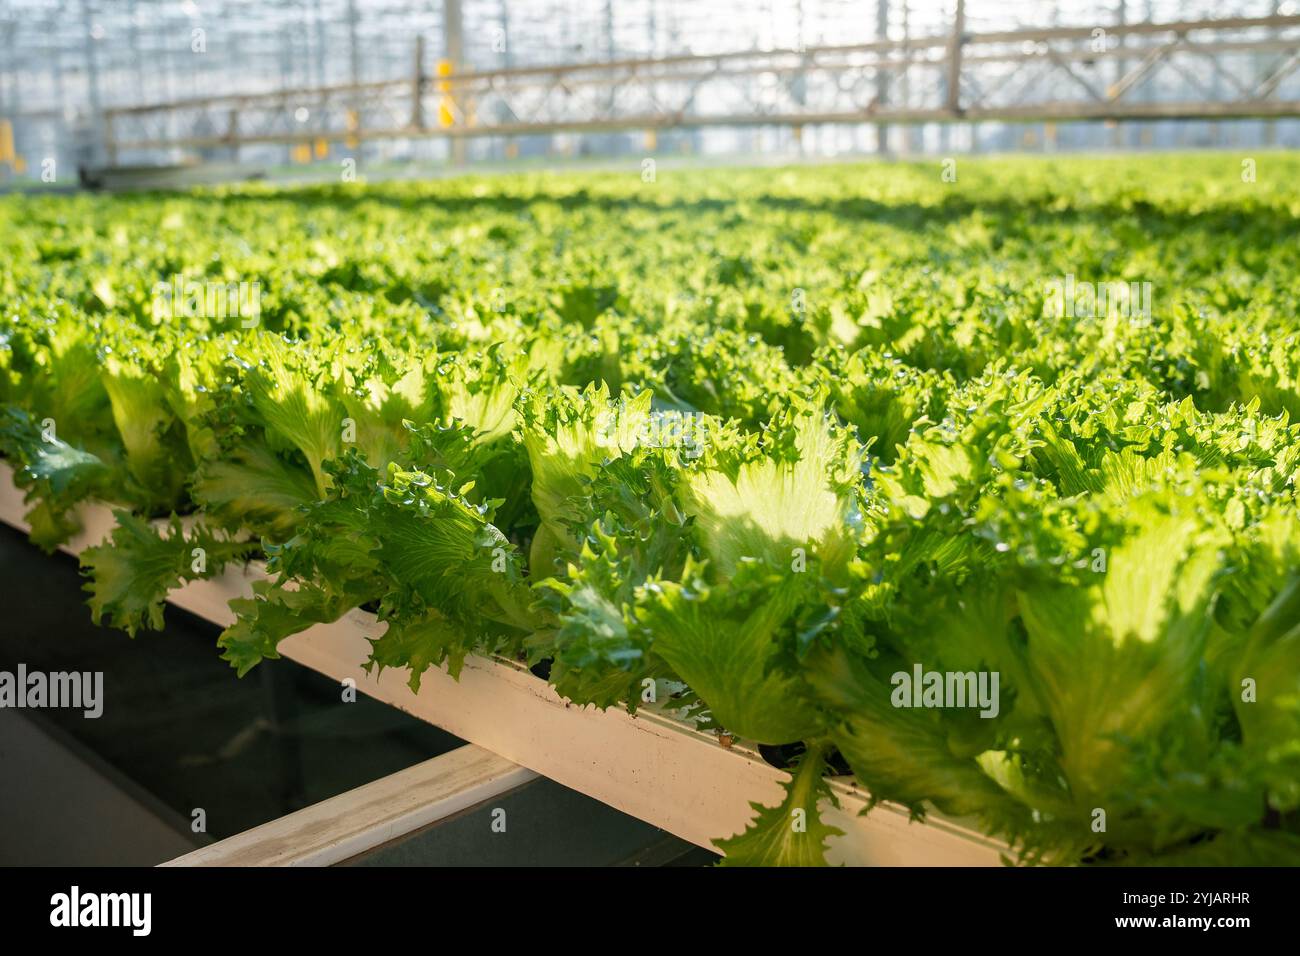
(275,85)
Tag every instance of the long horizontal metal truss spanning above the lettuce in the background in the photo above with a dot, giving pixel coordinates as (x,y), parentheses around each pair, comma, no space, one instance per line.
(1241,67)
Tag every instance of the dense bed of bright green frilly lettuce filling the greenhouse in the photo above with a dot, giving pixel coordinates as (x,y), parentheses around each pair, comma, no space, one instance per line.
(764,442)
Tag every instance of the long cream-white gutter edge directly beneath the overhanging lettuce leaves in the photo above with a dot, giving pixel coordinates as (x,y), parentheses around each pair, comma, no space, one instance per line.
(651,765)
